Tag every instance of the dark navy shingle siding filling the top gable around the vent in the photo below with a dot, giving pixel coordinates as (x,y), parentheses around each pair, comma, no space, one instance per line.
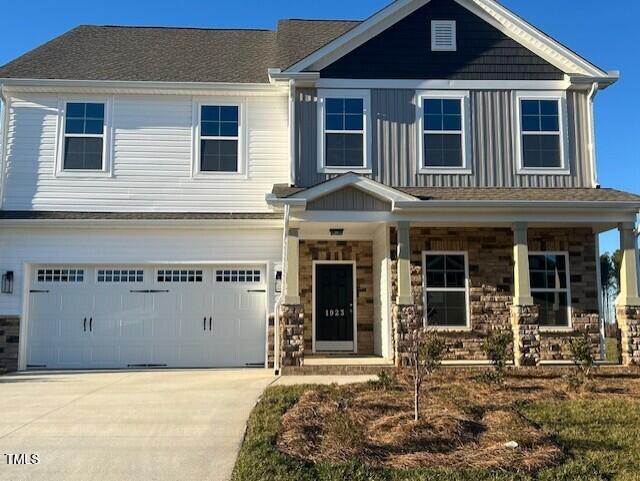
(403,51)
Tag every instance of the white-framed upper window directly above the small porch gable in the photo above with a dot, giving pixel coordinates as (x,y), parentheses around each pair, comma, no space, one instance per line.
(343,145)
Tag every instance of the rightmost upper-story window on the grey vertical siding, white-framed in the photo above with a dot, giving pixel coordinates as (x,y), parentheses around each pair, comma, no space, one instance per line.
(542,145)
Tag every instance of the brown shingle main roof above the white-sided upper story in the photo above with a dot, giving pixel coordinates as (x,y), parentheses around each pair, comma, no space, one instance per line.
(174,54)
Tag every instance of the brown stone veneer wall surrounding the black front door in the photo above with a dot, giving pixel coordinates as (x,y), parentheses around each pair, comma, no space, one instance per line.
(362,253)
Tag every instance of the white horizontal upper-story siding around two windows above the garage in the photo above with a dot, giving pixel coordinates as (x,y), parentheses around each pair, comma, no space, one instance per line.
(151,155)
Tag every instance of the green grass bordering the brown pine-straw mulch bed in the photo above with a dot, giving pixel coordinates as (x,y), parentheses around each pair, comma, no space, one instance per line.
(601,439)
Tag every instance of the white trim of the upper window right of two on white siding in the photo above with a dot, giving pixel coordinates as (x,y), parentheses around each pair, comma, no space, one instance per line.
(197,105)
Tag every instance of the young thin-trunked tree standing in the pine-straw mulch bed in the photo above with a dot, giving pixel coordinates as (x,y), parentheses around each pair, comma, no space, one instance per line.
(426,350)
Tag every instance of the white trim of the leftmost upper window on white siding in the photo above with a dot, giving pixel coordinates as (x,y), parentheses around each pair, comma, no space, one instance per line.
(107,138)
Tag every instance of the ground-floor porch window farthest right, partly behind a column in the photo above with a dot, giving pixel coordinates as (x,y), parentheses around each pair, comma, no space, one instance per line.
(549,278)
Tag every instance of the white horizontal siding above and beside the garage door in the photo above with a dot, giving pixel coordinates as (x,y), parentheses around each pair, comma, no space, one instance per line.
(131,246)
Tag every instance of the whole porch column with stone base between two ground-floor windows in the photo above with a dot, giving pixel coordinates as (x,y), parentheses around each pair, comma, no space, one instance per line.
(524,314)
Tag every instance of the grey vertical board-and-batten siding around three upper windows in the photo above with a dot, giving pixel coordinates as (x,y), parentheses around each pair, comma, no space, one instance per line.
(493,159)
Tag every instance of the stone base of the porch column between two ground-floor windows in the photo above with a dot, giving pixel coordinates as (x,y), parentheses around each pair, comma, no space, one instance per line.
(526,335)
